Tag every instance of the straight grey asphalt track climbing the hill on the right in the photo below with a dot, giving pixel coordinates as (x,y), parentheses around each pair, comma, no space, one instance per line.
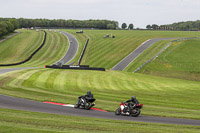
(133,55)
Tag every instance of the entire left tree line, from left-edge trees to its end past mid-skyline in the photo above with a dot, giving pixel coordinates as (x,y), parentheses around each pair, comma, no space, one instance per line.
(8,25)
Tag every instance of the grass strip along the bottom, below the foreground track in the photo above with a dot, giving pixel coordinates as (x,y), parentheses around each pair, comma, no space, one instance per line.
(13,121)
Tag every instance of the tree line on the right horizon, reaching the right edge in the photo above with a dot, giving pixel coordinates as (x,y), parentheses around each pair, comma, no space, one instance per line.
(182,26)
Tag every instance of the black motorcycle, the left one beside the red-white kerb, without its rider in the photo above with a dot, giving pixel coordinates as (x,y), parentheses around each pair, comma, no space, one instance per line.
(85,103)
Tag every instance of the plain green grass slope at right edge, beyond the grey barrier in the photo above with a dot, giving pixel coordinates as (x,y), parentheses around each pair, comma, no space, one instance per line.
(180,60)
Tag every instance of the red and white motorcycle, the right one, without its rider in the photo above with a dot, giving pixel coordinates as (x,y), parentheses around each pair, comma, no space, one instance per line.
(133,110)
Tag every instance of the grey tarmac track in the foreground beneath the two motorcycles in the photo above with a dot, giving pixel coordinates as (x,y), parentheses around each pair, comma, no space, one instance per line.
(34,106)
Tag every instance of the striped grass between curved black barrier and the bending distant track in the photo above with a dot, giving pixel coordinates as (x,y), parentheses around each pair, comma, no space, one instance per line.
(54,49)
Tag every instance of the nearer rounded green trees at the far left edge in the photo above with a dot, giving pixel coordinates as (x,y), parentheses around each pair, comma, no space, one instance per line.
(8,26)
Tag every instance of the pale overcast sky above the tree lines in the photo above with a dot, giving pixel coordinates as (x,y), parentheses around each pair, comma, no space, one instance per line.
(138,12)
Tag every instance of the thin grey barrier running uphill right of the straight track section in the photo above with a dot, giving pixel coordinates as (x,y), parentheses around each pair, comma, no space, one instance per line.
(163,50)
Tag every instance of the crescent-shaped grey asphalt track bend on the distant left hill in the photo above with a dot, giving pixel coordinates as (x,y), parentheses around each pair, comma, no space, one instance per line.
(72,50)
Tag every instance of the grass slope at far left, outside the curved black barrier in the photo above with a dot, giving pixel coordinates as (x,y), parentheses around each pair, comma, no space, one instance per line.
(19,47)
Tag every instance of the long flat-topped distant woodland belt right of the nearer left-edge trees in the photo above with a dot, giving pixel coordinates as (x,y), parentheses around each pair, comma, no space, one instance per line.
(98,24)
